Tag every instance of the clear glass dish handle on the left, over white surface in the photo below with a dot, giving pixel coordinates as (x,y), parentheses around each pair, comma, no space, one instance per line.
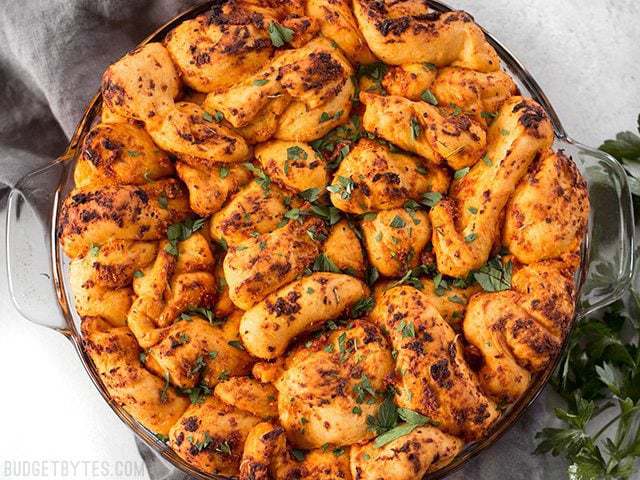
(29,241)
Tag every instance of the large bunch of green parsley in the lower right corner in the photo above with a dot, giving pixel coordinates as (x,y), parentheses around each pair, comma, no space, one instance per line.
(599,373)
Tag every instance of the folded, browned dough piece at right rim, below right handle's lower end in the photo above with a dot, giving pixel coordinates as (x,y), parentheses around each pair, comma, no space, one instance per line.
(521,330)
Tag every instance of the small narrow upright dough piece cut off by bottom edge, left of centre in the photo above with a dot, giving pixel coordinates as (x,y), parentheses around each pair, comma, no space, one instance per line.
(263,442)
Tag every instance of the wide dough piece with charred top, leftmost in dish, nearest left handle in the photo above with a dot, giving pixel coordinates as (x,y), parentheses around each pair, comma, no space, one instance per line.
(92,216)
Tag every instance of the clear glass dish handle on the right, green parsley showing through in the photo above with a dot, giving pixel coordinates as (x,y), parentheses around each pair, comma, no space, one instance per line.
(610,244)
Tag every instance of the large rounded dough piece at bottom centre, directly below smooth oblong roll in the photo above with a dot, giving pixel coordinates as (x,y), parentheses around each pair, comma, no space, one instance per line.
(331,388)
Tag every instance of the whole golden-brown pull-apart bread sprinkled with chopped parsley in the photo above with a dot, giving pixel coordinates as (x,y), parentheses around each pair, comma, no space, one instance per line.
(321,239)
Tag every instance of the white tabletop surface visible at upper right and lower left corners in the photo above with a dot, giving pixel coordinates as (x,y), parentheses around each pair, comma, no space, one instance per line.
(585,55)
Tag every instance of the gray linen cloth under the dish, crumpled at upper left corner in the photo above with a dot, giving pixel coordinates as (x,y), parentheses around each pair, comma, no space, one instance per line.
(52,55)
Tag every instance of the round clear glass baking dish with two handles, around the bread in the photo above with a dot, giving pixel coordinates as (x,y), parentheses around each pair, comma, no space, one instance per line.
(39,282)
